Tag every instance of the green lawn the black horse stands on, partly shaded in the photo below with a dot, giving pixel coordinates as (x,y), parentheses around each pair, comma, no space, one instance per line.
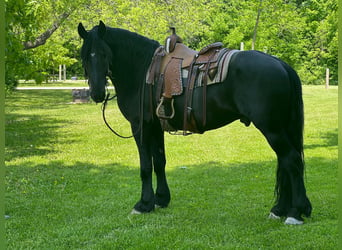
(71,184)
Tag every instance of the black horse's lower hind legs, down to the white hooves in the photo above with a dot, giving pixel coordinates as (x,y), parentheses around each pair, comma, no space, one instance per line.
(291,194)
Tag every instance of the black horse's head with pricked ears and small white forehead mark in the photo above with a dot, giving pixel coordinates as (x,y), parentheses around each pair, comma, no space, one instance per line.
(96,60)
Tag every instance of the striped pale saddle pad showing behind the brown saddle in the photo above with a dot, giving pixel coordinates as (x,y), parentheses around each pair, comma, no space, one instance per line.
(222,69)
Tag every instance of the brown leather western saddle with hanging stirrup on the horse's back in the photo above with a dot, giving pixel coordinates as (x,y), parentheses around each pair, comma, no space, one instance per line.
(175,67)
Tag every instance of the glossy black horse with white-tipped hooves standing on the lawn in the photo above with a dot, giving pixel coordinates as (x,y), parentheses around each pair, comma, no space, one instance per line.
(259,88)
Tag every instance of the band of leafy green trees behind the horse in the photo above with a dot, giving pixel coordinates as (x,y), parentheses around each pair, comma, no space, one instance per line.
(303,33)
